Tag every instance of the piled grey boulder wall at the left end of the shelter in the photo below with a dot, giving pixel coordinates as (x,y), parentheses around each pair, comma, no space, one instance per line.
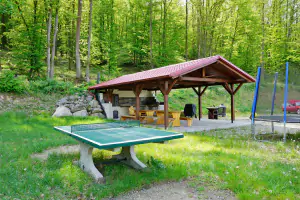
(76,105)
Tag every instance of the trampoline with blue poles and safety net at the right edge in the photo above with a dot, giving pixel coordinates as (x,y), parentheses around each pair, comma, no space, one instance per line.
(276,98)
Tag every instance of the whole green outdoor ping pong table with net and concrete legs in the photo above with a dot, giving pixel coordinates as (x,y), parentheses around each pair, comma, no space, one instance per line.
(112,135)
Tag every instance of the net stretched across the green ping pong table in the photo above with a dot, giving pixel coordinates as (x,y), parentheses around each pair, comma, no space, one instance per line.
(109,125)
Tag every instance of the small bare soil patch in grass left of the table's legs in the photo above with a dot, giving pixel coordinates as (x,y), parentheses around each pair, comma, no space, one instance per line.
(58,150)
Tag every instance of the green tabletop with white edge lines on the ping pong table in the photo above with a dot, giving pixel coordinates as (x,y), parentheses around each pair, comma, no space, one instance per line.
(113,137)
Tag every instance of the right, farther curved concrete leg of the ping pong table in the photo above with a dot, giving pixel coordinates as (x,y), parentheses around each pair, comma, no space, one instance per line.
(130,158)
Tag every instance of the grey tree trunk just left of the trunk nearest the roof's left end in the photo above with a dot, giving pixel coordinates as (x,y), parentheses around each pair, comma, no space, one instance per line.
(77,50)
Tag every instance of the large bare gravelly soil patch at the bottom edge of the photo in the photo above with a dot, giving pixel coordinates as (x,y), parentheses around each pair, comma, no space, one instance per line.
(176,191)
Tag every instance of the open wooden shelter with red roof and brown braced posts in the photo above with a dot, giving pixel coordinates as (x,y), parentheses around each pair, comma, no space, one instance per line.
(196,74)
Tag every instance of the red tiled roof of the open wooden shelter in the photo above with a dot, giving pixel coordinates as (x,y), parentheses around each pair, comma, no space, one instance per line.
(171,71)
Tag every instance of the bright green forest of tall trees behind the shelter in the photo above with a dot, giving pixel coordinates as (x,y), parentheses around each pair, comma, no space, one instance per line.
(39,37)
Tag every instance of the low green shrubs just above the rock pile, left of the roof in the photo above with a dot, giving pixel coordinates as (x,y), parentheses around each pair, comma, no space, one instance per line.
(54,86)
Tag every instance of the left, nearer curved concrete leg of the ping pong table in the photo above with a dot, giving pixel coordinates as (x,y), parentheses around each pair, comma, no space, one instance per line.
(86,162)
